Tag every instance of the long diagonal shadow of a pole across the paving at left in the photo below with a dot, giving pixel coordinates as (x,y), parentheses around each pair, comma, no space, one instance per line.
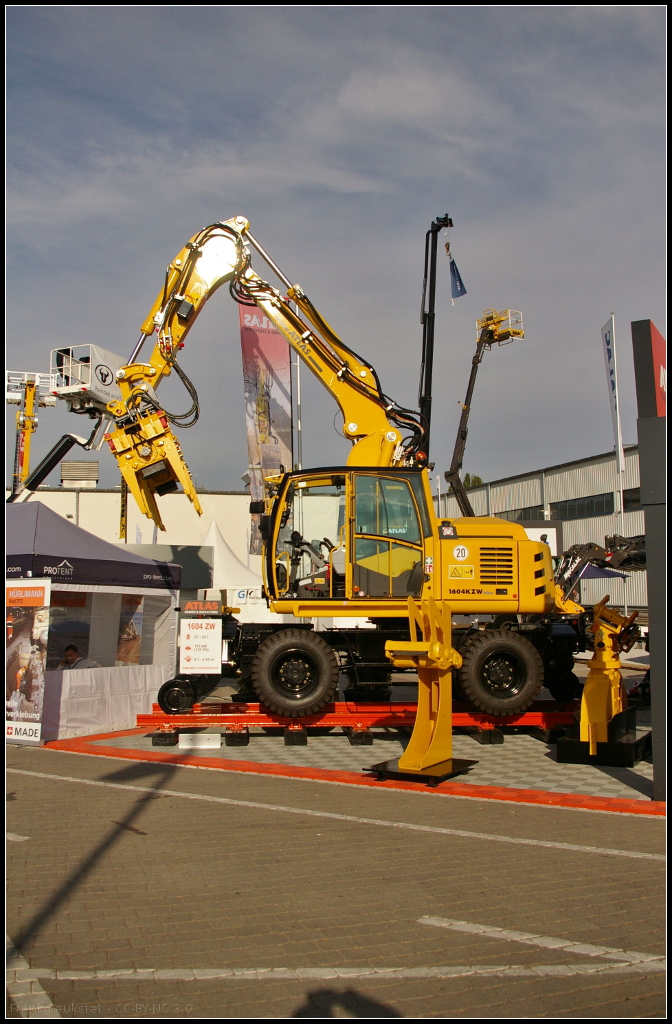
(160,776)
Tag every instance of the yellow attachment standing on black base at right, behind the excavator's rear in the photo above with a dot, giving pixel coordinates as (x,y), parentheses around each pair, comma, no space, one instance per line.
(604,694)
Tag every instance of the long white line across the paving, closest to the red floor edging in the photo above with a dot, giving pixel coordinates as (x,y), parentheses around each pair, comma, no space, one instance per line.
(492,838)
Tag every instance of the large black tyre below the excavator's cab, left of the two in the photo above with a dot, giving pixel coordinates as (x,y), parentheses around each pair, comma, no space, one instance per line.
(295,673)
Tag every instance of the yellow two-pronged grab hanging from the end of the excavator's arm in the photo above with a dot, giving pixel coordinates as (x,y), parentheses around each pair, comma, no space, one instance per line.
(151,461)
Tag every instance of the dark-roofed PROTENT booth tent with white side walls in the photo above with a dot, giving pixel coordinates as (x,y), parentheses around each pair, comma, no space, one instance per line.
(92,628)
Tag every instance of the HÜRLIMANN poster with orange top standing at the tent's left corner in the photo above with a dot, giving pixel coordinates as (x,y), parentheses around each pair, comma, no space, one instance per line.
(27,606)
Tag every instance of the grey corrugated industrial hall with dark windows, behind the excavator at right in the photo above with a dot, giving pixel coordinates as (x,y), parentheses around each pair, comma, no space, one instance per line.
(584,496)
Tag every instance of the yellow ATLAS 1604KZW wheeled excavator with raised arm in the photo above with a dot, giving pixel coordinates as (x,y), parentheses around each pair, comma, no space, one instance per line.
(384,553)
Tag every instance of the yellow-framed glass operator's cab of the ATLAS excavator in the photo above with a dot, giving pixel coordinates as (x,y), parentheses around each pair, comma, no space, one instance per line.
(348,535)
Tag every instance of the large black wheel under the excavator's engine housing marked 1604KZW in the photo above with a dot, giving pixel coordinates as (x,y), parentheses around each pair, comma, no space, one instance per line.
(502,673)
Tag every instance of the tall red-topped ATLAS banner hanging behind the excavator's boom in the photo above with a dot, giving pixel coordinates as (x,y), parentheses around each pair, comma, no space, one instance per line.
(267,377)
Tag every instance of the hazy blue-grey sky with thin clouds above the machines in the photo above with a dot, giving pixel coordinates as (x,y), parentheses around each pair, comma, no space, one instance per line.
(341,134)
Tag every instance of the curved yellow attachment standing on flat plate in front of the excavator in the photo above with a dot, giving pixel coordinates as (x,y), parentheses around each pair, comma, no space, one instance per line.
(435,658)
